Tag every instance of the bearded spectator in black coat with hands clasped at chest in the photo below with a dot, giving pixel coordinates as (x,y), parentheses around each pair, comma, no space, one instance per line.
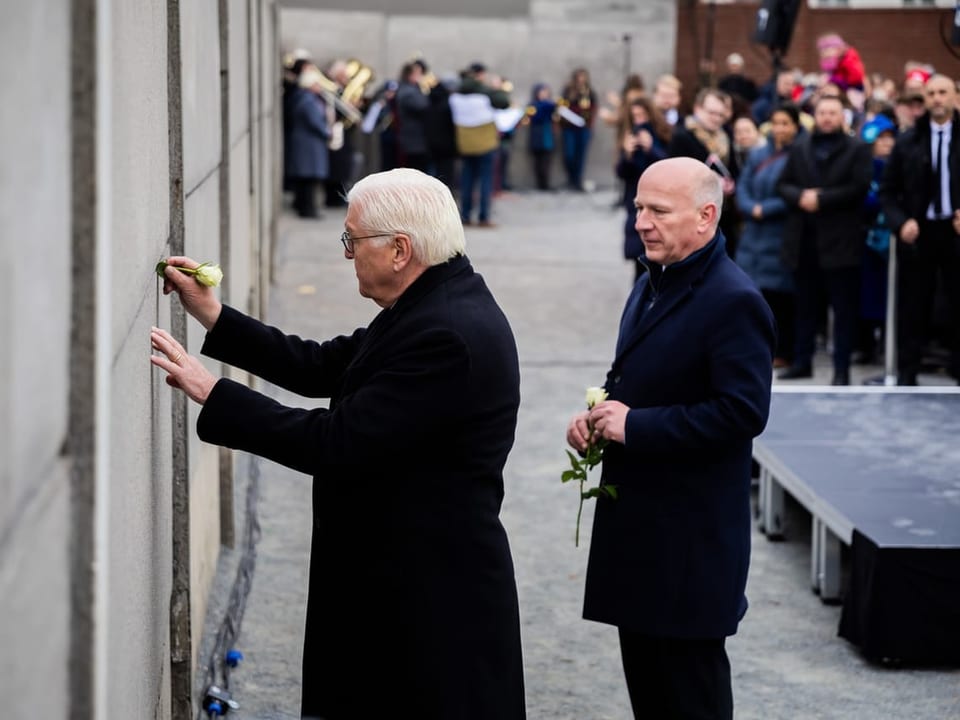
(824,183)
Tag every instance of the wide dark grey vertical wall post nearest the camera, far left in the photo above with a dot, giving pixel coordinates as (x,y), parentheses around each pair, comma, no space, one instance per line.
(81,426)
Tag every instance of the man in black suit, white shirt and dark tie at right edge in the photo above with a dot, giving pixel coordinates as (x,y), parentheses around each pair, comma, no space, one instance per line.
(920,195)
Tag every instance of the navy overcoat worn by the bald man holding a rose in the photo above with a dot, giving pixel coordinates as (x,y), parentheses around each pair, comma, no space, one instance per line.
(669,556)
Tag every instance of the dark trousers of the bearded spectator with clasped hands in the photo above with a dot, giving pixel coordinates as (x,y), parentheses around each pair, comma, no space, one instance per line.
(843,291)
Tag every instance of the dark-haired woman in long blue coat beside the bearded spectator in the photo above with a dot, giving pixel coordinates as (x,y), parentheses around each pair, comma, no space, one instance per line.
(766,211)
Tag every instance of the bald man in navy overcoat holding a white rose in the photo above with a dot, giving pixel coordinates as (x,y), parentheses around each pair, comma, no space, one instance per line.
(689,389)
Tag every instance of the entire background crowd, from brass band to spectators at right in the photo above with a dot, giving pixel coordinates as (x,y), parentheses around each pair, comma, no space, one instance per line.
(810,200)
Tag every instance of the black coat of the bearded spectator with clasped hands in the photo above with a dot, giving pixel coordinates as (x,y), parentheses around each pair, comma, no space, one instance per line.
(840,222)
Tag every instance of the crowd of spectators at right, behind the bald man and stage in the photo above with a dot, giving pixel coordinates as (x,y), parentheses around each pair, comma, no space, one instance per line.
(821,172)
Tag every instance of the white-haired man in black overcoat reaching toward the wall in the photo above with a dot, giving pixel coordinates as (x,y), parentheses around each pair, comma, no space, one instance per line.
(412,609)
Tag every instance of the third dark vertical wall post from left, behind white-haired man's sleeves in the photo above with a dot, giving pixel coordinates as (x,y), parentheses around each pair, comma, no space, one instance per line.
(227,521)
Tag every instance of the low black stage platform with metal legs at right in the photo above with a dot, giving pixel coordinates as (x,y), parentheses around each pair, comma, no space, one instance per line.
(879,470)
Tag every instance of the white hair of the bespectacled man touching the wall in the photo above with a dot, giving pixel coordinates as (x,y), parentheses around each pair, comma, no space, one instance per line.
(411,202)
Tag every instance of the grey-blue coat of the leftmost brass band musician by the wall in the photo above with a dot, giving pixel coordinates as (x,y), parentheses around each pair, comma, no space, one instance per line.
(305,151)
